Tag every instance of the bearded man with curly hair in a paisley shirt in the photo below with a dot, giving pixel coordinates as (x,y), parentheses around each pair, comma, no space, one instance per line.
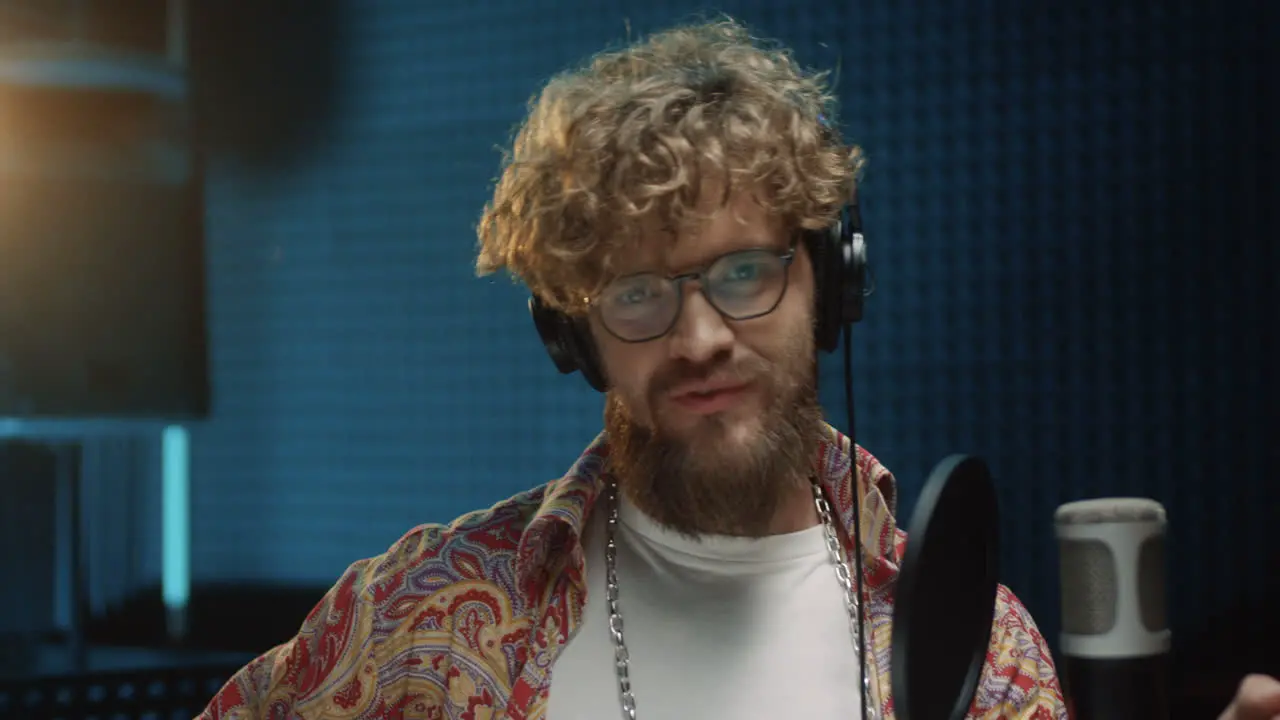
(660,199)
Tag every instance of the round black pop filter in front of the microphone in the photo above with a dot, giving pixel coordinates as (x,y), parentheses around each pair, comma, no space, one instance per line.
(947,593)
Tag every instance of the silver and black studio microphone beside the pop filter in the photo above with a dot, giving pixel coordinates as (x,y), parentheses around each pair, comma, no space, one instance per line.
(1116,635)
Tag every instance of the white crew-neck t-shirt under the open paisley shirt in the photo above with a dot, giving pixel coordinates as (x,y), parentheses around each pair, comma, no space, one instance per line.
(717,628)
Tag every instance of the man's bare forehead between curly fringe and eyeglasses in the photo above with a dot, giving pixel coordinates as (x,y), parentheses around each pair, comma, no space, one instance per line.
(717,229)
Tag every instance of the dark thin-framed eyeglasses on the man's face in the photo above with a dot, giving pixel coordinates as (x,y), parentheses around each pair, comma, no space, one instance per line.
(740,286)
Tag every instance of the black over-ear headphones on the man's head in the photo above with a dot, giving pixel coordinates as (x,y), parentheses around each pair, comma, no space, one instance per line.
(842,279)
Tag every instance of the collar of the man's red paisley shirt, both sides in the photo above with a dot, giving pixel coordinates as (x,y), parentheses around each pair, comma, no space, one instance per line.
(557,527)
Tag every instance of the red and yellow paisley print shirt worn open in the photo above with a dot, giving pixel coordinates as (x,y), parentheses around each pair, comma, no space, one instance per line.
(464,622)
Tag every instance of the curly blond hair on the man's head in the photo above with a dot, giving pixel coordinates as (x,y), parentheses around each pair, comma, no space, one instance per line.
(637,134)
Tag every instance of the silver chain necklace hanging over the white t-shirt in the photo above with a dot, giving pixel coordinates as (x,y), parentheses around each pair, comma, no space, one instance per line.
(623,659)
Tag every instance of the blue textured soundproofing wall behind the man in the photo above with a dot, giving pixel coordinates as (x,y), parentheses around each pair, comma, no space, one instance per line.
(1043,186)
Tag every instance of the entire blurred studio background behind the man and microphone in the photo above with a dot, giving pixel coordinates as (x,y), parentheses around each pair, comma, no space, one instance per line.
(243,343)
